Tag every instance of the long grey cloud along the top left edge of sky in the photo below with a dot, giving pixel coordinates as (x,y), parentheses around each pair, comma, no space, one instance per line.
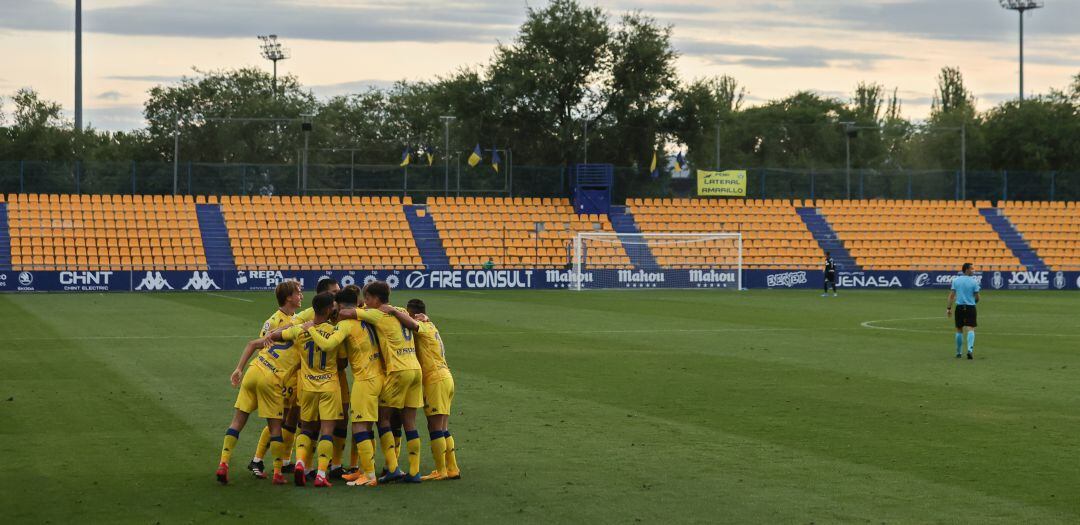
(370,22)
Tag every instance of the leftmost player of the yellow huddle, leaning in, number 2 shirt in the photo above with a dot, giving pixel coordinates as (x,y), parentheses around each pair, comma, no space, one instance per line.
(263,388)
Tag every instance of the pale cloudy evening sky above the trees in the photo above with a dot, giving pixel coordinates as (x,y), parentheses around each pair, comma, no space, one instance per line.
(772,48)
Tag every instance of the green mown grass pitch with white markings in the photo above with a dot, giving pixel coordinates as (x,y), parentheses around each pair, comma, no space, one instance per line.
(713,407)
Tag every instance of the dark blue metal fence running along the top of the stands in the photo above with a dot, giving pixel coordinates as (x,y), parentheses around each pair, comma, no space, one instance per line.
(138,178)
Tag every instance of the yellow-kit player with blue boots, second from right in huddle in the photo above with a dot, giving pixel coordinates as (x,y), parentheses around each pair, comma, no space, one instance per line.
(394,330)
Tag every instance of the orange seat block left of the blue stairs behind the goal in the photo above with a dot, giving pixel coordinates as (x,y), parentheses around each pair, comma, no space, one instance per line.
(477,228)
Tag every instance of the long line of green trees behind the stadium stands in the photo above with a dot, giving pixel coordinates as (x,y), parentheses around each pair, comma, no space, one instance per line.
(570,69)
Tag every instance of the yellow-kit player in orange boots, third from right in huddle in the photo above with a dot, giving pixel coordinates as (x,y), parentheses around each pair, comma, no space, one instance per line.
(368,380)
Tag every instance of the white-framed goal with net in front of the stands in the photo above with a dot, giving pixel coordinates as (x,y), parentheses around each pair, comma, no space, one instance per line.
(657,261)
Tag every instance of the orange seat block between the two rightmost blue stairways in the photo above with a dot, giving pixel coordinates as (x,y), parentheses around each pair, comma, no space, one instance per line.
(885,235)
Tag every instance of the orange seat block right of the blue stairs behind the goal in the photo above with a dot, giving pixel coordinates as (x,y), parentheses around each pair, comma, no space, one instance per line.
(774,235)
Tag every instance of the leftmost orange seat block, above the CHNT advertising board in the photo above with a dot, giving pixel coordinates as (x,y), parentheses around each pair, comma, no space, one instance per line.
(104,233)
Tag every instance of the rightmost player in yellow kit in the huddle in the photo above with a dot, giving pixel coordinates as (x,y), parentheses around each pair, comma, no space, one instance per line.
(438,394)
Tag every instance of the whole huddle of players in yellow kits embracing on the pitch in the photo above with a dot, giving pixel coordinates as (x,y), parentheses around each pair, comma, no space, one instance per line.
(298,383)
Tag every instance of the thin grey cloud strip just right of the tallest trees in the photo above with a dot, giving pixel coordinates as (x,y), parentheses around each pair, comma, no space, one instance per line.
(766,57)
